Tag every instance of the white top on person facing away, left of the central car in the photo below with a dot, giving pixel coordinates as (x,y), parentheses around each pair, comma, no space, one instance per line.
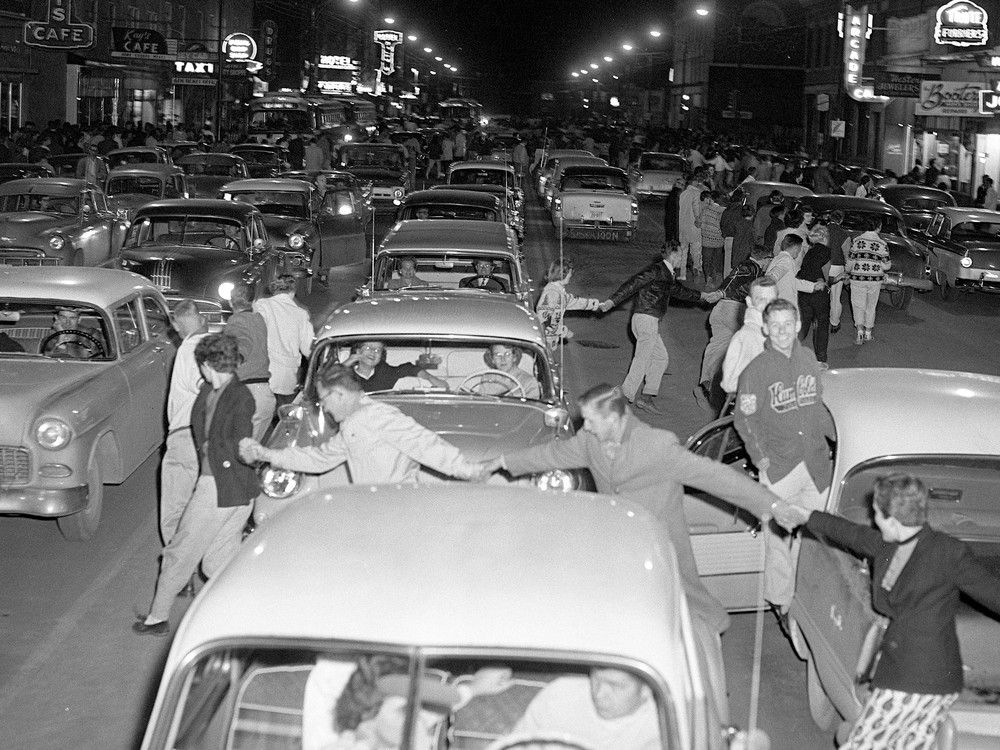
(289,338)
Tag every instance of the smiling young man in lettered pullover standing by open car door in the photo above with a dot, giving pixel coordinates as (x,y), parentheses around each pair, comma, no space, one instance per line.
(782,420)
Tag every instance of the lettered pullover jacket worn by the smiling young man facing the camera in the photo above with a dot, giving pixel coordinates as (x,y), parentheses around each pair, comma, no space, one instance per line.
(780,413)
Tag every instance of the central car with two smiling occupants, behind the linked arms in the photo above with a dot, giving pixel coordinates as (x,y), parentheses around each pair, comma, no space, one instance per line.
(483,411)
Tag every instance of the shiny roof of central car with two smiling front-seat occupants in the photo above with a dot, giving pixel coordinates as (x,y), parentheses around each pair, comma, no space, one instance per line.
(467,314)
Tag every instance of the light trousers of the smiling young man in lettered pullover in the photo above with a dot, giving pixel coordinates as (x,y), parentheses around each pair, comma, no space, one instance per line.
(782,548)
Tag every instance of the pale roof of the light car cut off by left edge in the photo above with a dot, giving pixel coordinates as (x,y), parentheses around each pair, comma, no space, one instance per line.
(99,287)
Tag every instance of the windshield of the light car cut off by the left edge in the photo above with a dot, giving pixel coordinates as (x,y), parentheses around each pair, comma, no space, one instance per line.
(57,329)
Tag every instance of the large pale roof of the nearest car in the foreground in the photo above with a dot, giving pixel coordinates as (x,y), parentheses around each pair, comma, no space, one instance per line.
(453,565)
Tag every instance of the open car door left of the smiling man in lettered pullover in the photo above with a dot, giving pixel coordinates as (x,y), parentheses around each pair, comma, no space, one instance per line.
(728,547)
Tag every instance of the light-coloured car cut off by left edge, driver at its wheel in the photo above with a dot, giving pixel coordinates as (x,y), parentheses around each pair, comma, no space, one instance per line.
(83,388)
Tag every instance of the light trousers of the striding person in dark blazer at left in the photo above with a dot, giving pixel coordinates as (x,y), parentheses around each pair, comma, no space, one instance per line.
(206,533)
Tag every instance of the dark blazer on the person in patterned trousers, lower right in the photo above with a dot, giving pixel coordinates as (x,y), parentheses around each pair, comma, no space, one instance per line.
(919,652)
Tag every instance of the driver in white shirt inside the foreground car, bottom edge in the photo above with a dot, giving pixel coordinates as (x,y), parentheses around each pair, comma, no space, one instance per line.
(609,710)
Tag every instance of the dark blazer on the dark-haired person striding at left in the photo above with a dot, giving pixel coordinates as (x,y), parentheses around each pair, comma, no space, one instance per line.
(235,482)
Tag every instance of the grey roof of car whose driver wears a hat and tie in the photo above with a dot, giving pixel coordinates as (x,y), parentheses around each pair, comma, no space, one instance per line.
(449,234)
